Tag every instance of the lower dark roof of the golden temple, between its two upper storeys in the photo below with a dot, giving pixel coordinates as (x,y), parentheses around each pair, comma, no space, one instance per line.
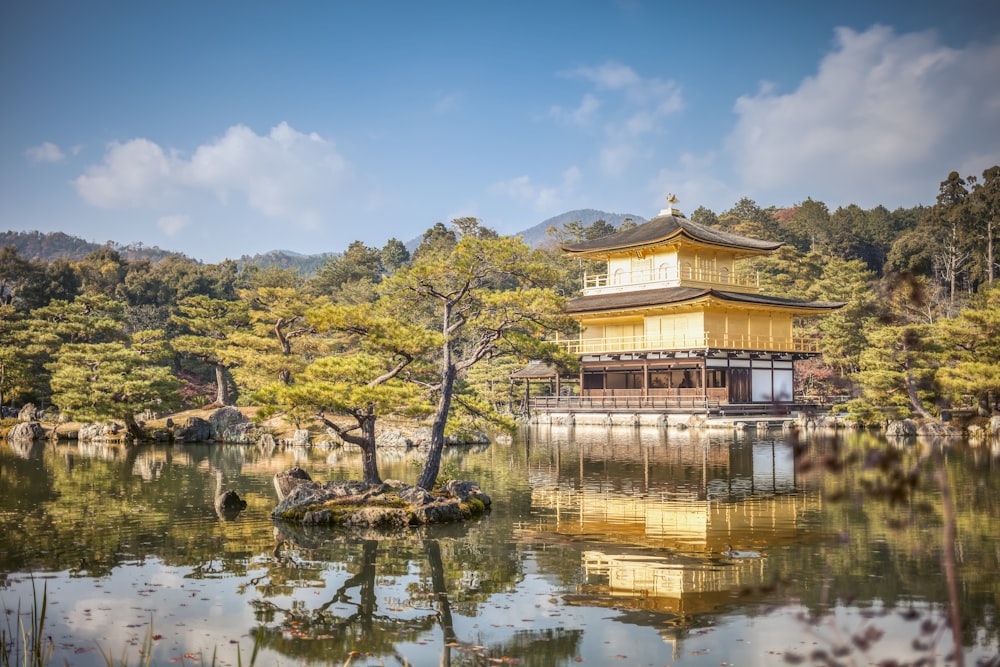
(672,295)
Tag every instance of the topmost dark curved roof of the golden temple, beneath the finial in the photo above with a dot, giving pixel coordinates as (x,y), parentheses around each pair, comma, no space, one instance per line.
(663,228)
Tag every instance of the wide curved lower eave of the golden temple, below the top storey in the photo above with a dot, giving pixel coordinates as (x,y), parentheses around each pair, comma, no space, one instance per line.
(680,296)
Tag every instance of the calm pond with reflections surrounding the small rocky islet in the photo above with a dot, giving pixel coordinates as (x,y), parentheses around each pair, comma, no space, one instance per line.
(605,546)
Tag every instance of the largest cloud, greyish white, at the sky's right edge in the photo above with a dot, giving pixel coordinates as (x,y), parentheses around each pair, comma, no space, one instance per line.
(884,114)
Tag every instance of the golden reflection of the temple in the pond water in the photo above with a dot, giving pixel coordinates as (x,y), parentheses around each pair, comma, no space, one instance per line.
(676,523)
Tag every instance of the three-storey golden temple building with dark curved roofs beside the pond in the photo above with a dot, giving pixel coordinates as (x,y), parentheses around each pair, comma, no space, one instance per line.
(673,321)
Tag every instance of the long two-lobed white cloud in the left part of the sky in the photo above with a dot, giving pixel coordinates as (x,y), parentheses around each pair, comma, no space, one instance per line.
(285,174)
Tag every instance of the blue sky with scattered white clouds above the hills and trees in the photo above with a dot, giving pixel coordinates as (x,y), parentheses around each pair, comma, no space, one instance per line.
(220,129)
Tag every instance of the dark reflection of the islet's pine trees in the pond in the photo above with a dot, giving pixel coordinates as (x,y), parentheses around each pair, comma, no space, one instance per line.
(432,569)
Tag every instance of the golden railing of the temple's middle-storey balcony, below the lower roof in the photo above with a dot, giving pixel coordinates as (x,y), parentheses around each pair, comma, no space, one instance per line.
(655,343)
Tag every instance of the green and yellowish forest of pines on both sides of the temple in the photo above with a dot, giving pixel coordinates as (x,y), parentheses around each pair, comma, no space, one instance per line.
(380,331)
